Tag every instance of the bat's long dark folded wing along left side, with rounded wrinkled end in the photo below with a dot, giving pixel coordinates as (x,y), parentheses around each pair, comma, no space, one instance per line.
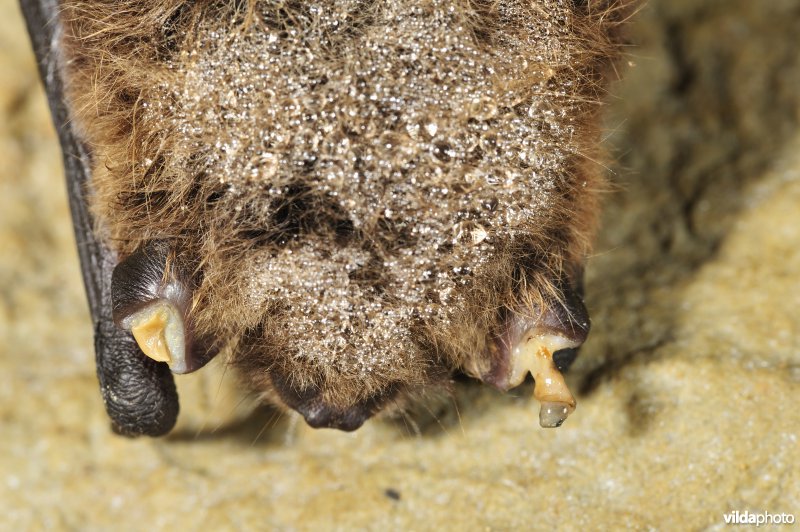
(139,393)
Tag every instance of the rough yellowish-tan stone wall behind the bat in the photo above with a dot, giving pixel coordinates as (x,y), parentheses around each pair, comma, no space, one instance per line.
(688,387)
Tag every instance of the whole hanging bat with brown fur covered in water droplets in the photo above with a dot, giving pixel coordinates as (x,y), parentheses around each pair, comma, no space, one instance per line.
(351,200)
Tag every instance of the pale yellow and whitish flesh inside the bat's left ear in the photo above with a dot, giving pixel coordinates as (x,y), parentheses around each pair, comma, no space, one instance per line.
(159,331)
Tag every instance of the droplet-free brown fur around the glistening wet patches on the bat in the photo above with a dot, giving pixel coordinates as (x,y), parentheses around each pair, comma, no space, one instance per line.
(117,51)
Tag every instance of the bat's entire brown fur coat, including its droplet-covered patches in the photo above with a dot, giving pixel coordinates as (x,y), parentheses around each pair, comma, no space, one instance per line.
(179,157)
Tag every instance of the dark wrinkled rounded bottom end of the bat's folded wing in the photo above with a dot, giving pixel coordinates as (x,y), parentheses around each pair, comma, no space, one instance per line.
(139,393)
